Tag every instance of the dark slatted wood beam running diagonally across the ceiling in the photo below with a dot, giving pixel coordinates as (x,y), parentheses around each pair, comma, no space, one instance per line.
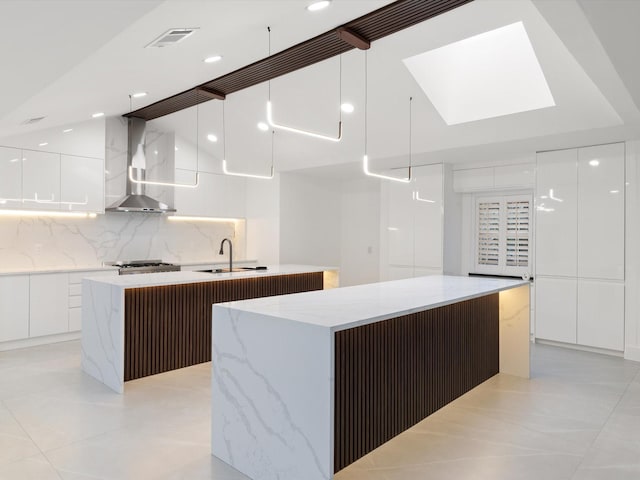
(368,28)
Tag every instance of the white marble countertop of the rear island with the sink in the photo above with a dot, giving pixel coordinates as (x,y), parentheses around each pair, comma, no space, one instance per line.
(175,278)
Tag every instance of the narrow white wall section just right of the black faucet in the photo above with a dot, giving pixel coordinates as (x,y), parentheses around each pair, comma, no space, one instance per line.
(263,220)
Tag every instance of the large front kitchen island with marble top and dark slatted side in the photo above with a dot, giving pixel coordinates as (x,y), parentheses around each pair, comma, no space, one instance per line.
(305,384)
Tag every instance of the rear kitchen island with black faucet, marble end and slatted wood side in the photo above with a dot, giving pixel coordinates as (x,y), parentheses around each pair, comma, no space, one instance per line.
(139,325)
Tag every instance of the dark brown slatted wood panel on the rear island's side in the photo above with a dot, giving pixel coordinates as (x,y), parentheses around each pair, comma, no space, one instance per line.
(169,327)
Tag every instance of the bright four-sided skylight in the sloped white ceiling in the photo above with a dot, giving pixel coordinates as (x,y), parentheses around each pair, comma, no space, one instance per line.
(488,75)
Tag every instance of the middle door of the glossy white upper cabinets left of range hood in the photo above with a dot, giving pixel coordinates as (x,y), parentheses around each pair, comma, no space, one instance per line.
(41,180)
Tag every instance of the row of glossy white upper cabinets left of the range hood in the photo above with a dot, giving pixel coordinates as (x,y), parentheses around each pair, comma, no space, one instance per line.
(36,180)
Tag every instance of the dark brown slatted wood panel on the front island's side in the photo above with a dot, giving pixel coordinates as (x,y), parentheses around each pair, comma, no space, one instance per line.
(392,374)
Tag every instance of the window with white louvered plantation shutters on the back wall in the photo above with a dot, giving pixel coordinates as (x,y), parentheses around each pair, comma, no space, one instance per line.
(503,235)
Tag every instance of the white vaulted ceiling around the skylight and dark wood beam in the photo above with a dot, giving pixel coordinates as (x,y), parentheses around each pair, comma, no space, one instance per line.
(71,59)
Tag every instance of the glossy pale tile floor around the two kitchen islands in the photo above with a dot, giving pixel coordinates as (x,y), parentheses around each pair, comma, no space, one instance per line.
(577,418)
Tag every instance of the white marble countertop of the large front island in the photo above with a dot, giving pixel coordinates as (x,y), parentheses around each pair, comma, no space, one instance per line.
(348,307)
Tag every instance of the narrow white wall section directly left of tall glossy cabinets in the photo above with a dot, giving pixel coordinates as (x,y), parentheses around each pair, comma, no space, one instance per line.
(360,232)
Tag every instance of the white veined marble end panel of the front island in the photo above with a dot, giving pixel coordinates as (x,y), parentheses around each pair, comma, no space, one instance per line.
(260,419)
